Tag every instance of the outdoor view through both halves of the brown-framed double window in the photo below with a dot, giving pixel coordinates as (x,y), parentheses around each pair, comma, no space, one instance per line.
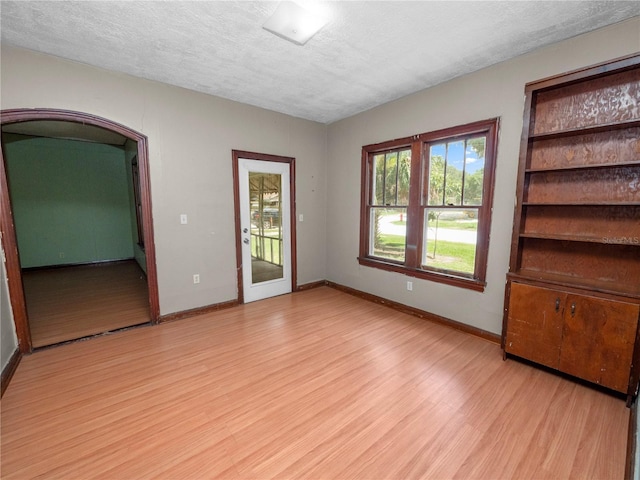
(455,177)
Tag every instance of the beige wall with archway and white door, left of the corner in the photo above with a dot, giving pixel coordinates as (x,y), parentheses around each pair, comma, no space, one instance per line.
(191,136)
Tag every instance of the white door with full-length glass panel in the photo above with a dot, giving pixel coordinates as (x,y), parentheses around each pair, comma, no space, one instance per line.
(265,222)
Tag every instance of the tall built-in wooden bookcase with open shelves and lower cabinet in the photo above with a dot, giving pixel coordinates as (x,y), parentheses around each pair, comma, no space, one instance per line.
(573,290)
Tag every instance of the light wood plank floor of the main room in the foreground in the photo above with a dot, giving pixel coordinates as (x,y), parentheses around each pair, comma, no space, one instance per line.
(317,384)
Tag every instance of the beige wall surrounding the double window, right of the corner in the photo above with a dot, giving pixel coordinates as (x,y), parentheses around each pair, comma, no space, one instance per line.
(497,91)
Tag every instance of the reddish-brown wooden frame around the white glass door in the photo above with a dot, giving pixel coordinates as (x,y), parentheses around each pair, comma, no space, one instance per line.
(236,156)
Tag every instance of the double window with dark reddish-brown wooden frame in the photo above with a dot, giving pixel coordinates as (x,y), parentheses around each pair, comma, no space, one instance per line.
(426,204)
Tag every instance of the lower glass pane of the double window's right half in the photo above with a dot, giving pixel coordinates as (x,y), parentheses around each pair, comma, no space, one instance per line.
(450,239)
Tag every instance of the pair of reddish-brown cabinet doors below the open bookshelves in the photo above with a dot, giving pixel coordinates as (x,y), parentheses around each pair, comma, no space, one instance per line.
(589,337)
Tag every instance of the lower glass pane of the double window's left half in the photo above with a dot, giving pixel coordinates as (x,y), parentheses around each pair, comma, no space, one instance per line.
(388,234)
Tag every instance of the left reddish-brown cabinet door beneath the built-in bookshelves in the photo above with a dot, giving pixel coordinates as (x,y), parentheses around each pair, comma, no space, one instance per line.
(534,328)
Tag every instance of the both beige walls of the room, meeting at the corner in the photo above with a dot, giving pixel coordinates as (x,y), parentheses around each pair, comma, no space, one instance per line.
(190,140)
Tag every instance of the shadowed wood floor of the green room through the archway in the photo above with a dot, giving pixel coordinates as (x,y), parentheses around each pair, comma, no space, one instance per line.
(74,302)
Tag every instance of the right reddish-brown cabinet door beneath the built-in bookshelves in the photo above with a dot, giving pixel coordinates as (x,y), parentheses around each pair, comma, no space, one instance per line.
(598,340)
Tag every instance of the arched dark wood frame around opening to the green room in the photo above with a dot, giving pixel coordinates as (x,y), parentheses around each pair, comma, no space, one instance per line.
(7,226)
